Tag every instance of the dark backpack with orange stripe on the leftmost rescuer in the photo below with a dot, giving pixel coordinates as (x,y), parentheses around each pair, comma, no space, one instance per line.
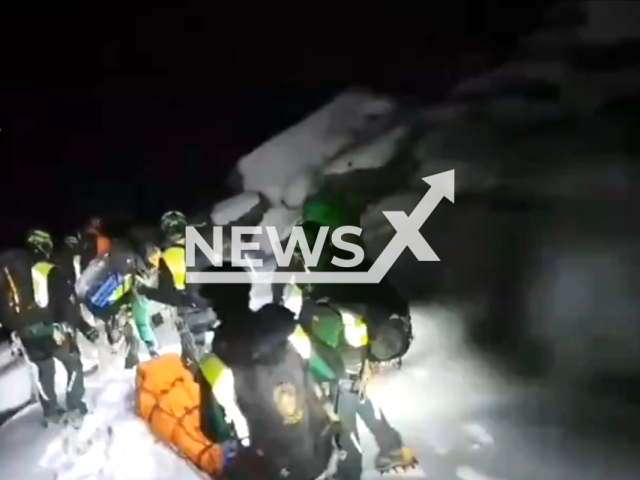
(16,287)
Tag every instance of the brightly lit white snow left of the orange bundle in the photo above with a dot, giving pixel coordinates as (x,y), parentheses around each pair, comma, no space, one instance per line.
(129,451)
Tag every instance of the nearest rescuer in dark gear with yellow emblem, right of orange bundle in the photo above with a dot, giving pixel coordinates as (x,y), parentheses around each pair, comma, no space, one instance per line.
(274,390)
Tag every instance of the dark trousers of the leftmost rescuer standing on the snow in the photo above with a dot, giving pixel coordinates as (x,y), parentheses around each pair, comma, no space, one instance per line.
(70,359)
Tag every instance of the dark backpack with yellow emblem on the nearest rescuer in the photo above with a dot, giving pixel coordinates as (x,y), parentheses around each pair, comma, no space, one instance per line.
(277,396)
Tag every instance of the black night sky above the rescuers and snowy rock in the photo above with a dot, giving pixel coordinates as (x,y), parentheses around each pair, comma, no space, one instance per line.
(132,108)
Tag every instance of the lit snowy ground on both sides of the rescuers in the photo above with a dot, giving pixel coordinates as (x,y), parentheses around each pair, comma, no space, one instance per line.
(462,419)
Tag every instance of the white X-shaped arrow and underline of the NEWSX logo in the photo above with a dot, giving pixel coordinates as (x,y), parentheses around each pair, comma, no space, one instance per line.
(407,236)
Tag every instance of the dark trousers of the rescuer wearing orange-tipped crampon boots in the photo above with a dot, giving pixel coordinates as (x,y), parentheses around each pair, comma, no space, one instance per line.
(387,438)
